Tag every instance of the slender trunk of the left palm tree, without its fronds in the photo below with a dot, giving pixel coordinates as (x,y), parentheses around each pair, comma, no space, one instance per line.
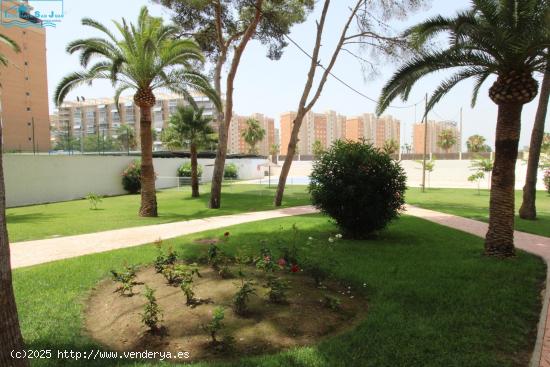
(148,192)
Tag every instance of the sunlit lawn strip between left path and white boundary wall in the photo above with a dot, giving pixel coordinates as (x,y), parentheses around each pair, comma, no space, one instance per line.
(75,217)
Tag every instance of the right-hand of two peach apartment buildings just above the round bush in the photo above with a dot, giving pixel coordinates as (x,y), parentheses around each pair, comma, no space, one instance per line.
(373,130)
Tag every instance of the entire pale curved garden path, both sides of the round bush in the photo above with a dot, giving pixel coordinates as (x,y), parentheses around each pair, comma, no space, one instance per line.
(41,251)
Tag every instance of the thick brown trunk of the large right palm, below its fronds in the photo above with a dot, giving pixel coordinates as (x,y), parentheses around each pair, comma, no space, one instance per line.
(499,240)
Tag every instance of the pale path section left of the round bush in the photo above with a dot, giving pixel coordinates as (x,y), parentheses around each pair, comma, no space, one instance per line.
(43,251)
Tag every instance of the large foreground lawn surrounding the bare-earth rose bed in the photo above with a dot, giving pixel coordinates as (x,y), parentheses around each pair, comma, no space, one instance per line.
(434,300)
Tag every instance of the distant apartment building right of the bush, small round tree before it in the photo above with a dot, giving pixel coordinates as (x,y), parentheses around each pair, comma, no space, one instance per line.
(434,129)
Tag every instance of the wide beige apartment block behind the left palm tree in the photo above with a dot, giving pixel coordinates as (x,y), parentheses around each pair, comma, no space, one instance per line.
(100,117)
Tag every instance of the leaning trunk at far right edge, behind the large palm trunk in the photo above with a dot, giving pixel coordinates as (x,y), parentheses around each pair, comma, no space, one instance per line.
(528,209)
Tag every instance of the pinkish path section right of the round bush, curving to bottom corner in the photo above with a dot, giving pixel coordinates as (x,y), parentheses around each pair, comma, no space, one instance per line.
(537,245)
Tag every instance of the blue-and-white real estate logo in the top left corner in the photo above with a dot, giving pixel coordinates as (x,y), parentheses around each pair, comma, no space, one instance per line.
(31,13)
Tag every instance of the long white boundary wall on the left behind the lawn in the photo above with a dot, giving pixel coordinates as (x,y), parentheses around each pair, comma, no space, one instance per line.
(45,179)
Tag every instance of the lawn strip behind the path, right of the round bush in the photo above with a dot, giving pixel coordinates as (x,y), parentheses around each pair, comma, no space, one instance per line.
(467,203)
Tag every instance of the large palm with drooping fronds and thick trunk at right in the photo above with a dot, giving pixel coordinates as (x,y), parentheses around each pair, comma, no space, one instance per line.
(494,37)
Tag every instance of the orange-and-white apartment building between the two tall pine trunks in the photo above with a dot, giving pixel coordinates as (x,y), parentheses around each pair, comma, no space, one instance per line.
(236,143)
